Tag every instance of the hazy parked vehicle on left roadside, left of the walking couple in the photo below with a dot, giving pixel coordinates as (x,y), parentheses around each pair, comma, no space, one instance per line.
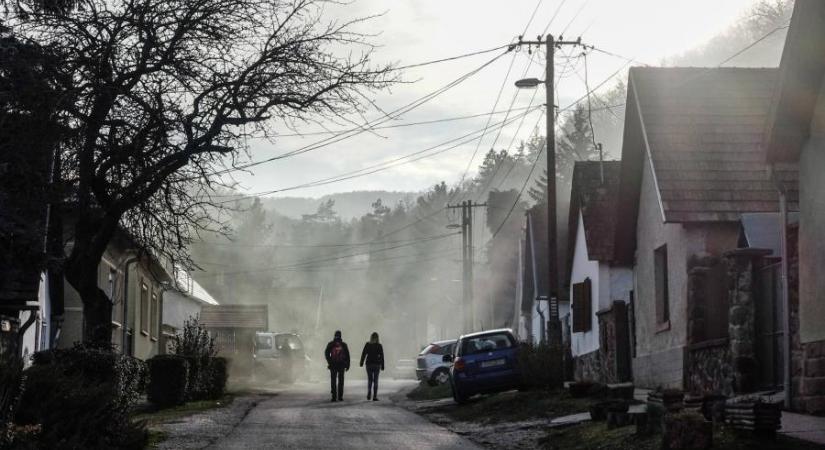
(279,355)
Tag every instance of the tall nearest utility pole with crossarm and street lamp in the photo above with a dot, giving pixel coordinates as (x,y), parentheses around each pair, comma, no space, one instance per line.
(553,325)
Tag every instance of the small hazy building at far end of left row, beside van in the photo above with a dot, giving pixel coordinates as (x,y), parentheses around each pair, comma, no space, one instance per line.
(233,327)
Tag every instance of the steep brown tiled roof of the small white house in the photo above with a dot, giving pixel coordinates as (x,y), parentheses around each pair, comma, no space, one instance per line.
(594,193)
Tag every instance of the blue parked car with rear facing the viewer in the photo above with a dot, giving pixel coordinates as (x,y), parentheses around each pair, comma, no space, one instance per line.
(484,362)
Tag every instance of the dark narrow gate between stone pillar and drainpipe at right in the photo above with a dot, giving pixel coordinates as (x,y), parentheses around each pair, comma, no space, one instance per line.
(769,330)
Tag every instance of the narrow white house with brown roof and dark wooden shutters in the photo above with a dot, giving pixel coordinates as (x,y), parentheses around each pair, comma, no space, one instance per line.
(600,290)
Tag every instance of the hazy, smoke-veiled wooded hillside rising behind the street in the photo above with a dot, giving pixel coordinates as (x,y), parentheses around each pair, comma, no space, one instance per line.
(391,262)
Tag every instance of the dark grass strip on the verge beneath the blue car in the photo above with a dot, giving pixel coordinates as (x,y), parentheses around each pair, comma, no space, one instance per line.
(517,406)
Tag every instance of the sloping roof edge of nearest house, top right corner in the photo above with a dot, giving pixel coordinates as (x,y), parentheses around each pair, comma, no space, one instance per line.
(801,74)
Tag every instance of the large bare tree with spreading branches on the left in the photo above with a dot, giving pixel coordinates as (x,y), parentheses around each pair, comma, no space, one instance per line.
(166,94)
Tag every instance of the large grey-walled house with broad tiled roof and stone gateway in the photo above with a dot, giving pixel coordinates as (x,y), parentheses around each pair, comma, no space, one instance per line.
(692,163)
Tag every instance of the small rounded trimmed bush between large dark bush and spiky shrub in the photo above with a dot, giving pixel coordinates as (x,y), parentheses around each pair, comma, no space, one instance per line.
(168,380)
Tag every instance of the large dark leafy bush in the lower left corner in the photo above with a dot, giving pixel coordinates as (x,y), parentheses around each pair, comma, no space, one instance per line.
(69,392)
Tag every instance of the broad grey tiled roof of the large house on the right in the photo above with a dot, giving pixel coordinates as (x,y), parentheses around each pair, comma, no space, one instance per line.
(705,128)
